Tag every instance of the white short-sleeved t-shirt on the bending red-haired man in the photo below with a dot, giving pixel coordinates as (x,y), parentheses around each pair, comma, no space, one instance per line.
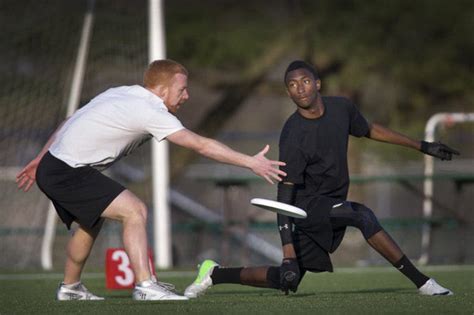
(111,125)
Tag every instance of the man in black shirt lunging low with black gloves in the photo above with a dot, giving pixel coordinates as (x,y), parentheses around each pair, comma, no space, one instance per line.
(313,143)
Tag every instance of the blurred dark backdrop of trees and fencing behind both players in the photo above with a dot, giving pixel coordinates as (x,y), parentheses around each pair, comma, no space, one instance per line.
(400,61)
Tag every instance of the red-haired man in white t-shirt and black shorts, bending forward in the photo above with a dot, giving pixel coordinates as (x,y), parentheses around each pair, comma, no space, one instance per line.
(109,127)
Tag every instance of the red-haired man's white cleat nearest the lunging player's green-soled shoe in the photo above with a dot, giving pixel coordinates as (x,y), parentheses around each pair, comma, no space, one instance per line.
(154,291)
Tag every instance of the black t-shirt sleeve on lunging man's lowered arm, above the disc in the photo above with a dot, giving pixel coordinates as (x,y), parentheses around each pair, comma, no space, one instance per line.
(291,153)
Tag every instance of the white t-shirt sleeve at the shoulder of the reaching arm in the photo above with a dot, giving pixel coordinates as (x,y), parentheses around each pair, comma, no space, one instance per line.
(161,124)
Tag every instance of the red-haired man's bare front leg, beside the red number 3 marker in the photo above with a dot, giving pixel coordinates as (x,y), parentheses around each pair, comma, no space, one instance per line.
(132,212)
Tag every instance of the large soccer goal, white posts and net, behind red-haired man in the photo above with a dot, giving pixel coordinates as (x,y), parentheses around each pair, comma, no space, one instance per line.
(62,54)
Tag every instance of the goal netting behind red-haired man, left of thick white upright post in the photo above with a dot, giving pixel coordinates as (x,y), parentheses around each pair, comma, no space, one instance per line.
(40,41)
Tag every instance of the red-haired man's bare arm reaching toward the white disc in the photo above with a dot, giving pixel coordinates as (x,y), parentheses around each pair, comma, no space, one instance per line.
(218,151)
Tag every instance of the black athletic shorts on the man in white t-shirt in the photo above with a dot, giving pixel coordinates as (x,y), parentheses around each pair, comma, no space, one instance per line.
(78,194)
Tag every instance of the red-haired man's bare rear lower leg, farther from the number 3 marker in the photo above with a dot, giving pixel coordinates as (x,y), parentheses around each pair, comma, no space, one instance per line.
(78,249)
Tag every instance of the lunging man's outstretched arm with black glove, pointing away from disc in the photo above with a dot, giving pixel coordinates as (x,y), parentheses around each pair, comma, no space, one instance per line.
(436,149)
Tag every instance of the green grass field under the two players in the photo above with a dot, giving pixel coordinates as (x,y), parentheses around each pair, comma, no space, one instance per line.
(346,291)
